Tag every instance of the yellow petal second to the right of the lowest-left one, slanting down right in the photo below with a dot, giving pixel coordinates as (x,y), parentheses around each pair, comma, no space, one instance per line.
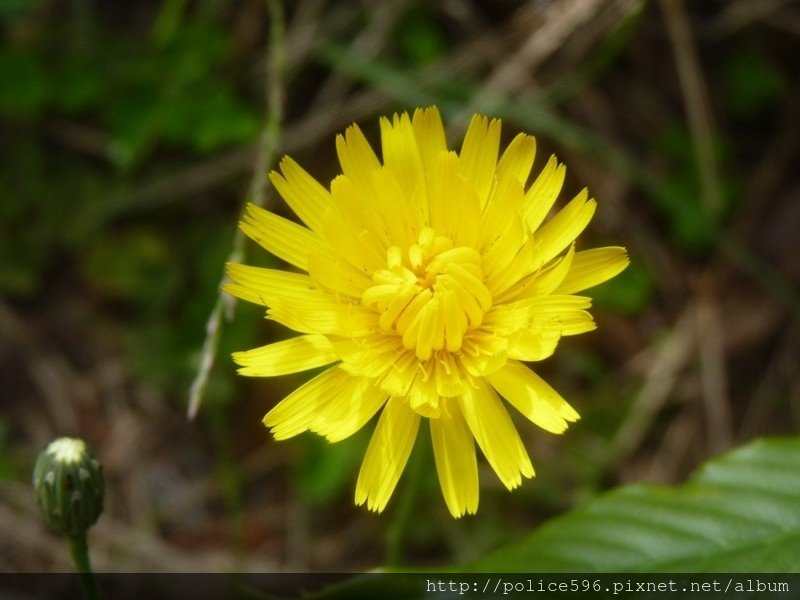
(496,434)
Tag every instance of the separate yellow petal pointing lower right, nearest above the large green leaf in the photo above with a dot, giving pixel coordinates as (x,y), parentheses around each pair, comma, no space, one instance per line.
(532,396)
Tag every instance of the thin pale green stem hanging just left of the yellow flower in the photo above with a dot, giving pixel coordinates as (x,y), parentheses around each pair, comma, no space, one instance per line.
(257,194)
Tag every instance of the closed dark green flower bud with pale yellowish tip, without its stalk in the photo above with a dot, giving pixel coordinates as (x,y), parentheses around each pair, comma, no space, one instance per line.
(68,481)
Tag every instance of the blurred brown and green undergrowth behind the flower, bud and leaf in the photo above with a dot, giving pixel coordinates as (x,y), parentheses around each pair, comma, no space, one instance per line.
(129,135)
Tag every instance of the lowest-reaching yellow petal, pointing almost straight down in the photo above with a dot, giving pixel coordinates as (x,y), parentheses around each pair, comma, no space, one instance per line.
(454,452)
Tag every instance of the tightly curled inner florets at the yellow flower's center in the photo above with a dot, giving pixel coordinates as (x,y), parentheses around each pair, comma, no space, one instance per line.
(431,296)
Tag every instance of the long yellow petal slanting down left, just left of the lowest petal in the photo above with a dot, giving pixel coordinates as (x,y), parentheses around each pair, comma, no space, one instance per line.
(387,454)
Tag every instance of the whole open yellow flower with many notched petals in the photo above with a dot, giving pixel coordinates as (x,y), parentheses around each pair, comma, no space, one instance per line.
(425,281)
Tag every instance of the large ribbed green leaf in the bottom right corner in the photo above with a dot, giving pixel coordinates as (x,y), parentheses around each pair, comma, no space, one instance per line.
(739,513)
